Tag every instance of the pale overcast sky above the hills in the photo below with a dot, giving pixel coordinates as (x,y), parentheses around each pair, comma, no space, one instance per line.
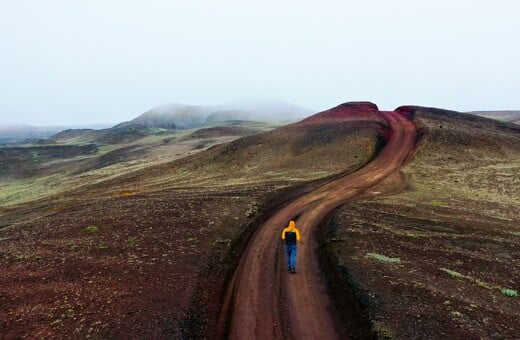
(104,61)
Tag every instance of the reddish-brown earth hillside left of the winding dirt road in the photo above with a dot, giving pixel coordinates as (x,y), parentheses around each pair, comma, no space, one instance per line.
(156,265)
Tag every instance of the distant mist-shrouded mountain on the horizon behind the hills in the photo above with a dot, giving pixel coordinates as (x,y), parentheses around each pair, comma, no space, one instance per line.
(181,116)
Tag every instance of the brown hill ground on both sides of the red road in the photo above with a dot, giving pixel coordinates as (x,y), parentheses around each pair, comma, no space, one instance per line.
(140,238)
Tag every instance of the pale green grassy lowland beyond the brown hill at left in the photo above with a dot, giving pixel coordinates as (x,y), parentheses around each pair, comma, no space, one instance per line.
(79,158)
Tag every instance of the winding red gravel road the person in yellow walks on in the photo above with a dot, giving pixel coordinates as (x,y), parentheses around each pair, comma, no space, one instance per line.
(264,300)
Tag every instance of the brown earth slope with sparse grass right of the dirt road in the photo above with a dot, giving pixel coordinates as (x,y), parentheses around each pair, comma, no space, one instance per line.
(434,261)
